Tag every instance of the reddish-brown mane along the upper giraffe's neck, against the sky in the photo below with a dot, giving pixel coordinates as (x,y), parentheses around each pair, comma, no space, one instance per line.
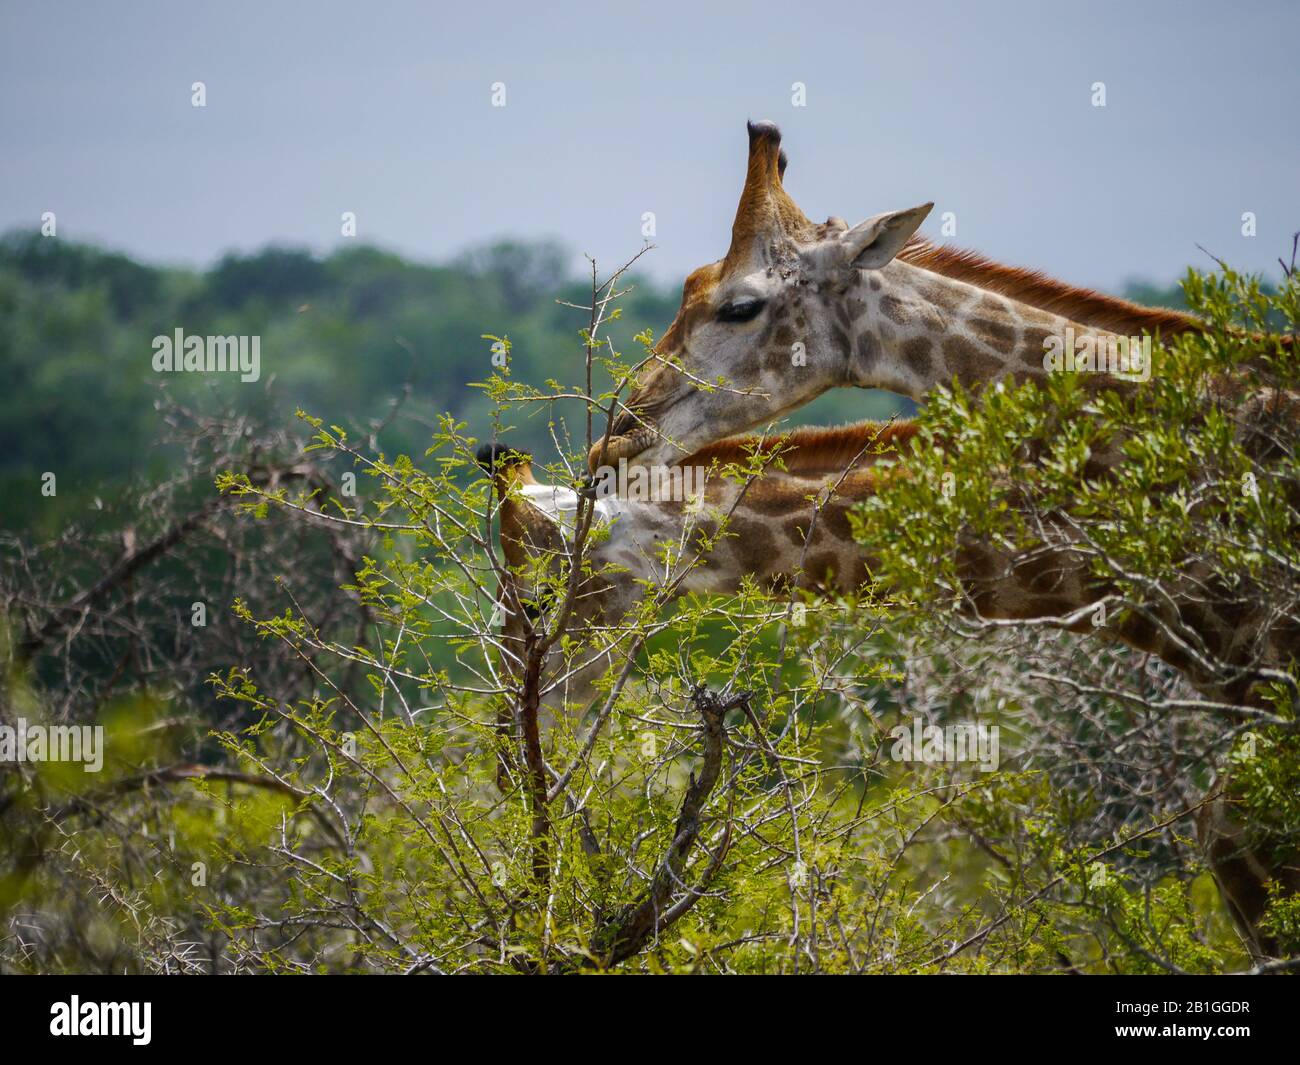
(1037,289)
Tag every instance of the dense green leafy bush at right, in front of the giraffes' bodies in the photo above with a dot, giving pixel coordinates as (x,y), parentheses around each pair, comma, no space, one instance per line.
(1180,496)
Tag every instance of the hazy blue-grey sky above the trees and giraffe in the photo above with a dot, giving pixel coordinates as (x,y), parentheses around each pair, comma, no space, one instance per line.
(617,110)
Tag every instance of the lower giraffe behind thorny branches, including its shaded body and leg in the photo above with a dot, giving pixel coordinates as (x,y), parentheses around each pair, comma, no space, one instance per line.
(790,529)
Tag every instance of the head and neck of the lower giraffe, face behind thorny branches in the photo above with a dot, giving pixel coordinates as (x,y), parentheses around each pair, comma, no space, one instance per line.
(538,523)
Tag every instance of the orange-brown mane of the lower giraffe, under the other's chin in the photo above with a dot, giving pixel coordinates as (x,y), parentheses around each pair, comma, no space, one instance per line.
(813,449)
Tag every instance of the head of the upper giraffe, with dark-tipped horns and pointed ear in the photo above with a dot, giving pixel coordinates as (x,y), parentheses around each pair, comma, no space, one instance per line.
(765,330)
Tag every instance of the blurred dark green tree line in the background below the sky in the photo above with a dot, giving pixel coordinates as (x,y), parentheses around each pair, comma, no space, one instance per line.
(345,335)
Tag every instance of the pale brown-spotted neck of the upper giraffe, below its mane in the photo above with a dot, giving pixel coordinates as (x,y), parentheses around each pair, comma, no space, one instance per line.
(917,330)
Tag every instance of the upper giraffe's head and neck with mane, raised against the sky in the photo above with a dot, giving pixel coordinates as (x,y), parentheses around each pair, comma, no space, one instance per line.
(796,309)
